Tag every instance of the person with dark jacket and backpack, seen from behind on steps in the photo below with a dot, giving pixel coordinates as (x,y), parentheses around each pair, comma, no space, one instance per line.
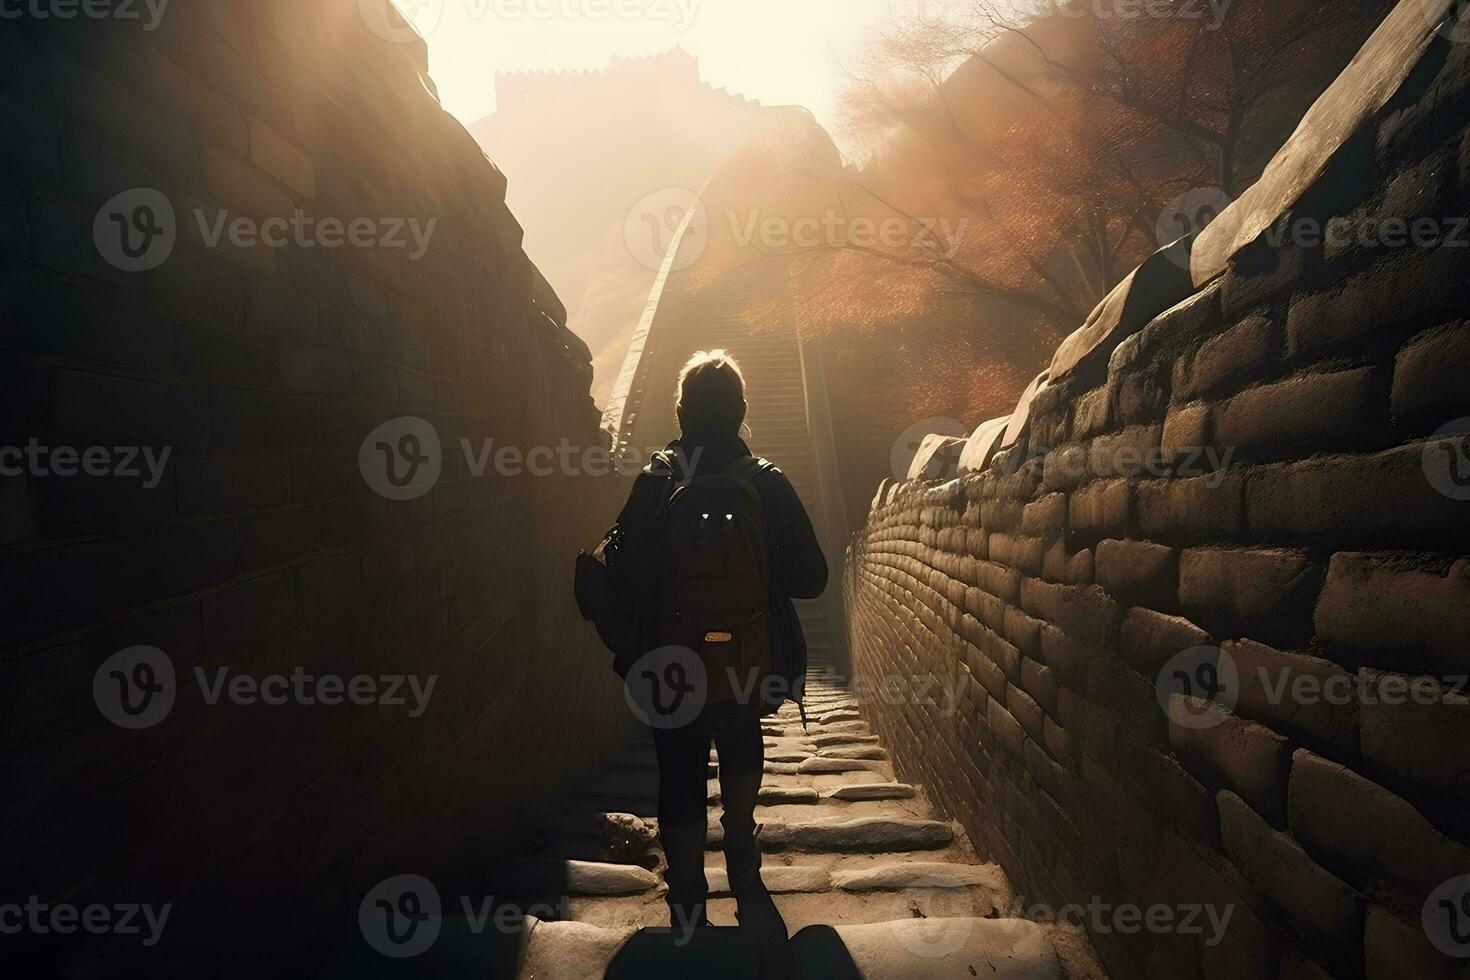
(711,549)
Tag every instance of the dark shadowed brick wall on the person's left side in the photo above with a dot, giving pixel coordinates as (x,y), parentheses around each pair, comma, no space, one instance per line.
(262,547)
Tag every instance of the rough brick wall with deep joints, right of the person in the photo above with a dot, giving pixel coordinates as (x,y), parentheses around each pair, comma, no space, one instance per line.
(1059,588)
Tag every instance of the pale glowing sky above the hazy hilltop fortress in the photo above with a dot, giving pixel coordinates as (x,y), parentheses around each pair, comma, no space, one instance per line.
(775,51)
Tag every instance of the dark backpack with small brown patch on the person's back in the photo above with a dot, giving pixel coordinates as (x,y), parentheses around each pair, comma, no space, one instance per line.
(714,591)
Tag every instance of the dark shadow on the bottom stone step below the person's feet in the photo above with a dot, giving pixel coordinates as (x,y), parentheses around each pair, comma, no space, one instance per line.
(817,953)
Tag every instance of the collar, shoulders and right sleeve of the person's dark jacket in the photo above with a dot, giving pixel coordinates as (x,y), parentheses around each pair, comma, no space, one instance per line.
(795,556)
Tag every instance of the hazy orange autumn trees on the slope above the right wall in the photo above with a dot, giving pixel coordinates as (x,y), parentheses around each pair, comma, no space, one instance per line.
(1025,156)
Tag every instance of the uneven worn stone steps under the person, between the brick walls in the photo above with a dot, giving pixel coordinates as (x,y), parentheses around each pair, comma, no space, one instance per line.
(846,847)
